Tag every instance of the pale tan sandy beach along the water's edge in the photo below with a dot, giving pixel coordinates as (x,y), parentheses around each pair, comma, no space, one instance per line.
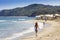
(48,33)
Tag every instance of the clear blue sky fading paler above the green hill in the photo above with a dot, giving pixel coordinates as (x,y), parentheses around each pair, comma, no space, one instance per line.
(10,4)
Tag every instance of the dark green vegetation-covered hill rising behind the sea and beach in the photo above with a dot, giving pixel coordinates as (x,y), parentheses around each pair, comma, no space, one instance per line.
(31,10)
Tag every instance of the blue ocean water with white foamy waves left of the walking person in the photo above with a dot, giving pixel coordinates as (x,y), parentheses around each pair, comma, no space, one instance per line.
(14,27)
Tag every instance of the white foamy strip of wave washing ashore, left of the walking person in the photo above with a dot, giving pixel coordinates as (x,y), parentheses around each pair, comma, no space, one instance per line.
(16,35)
